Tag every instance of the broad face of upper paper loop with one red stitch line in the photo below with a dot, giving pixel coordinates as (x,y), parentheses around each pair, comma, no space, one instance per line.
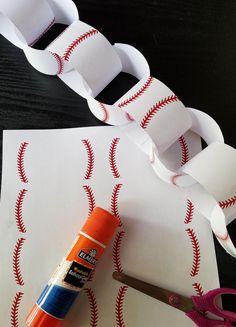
(88,52)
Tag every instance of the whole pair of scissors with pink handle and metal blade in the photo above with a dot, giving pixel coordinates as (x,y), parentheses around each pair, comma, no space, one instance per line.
(195,307)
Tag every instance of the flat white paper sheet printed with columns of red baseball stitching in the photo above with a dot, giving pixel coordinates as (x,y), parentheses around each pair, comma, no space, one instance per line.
(52,179)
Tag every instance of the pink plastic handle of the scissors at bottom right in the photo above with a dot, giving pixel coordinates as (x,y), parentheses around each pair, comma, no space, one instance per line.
(208,303)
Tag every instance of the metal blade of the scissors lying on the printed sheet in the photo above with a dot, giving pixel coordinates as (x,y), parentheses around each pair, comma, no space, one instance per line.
(175,300)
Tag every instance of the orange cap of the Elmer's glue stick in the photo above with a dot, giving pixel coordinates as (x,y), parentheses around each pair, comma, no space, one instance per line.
(101,225)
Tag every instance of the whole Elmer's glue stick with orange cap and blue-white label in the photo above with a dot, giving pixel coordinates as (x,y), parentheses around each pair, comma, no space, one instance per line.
(74,270)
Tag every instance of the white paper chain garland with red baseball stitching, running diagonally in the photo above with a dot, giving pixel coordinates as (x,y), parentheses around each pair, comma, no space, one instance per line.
(150,113)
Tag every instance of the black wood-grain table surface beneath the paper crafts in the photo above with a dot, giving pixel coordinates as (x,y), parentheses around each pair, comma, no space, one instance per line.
(190,46)
